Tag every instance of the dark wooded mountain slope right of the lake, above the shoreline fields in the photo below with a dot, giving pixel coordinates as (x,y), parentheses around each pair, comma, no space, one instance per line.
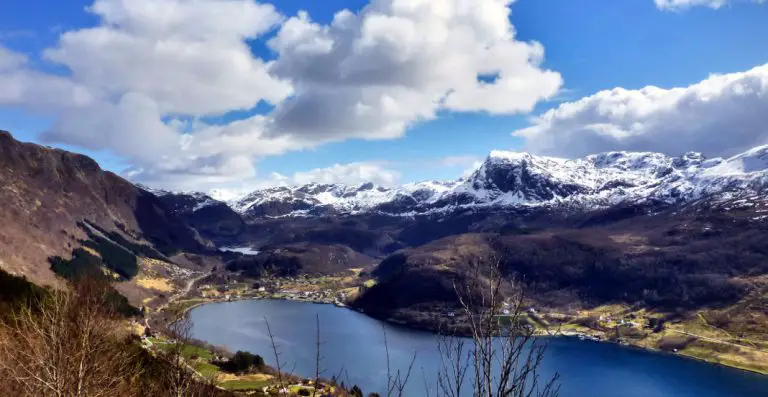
(698,259)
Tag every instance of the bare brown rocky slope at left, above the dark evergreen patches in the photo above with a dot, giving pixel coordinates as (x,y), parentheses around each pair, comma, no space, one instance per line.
(46,192)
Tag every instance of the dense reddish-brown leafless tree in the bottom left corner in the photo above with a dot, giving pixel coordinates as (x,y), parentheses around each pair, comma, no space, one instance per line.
(69,343)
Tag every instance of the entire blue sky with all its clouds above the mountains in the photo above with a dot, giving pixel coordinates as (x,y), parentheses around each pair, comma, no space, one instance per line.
(228,96)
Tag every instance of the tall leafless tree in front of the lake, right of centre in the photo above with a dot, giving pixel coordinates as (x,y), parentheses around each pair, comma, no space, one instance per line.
(501,358)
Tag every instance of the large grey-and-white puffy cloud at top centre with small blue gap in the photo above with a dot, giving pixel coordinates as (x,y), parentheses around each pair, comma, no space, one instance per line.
(371,75)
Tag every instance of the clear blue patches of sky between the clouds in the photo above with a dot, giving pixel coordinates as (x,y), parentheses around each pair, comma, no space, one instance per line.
(594,45)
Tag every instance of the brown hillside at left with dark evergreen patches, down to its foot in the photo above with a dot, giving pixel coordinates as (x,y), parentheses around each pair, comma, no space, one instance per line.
(62,216)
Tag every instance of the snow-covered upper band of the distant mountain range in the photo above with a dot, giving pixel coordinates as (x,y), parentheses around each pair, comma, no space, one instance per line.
(509,179)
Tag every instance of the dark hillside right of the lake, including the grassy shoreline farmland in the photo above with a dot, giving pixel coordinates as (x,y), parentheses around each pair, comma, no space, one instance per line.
(700,272)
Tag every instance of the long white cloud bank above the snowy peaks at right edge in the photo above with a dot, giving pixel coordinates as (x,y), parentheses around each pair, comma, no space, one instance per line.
(722,115)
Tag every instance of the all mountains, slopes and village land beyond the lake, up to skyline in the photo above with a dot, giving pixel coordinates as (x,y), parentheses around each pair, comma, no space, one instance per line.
(640,249)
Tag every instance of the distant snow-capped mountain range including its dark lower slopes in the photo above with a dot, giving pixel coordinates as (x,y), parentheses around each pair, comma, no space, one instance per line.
(508,191)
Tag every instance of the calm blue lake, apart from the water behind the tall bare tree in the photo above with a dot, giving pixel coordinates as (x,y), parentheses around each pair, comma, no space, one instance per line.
(354,342)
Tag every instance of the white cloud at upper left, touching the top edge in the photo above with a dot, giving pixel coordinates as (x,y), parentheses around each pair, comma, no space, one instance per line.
(189,57)
